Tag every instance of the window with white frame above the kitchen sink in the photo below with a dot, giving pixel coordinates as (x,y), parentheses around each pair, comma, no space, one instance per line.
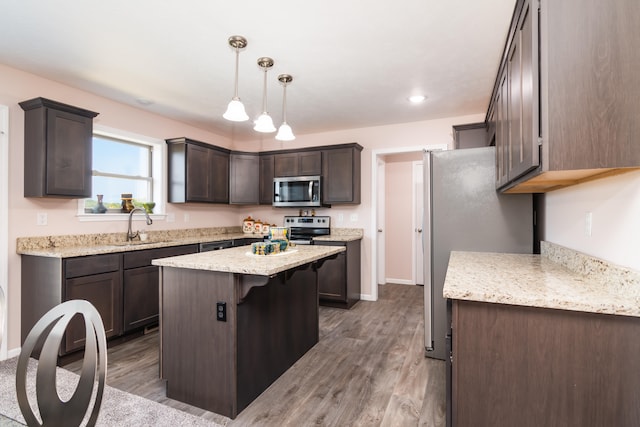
(123,164)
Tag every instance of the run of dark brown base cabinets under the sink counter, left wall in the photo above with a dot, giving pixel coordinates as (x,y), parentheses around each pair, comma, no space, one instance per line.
(122,286)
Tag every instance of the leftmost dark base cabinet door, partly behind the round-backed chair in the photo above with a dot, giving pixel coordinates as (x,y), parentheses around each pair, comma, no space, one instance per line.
(104,291)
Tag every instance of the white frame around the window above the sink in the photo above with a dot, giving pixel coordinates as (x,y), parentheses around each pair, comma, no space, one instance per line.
(158,154)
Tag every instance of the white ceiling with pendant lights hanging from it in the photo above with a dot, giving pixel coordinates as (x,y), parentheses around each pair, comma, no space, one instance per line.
(353,62)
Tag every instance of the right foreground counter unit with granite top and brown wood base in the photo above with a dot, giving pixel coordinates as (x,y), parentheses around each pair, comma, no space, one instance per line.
(547,339)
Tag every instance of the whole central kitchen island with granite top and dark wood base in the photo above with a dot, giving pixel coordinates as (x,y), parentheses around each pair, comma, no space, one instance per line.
(232,322)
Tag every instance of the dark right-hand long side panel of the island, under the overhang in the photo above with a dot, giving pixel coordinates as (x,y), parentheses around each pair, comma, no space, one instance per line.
(277,324)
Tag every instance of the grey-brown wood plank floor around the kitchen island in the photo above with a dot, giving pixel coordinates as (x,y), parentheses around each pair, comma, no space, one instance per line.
(368,369)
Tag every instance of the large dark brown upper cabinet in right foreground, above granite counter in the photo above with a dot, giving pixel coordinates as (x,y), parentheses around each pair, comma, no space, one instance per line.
(562,108)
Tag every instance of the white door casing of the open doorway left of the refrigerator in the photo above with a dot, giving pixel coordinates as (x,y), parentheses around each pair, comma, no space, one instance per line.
(374,201)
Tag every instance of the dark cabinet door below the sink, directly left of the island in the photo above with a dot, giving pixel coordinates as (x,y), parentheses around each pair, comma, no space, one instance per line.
(140,297)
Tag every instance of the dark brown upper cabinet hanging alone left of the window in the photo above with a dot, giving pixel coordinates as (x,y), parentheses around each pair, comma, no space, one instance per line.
(57,149)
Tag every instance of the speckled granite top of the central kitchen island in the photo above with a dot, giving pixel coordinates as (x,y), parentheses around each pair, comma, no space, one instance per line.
(241,260)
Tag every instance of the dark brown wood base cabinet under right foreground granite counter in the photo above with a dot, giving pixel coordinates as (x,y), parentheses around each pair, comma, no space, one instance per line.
(525,366)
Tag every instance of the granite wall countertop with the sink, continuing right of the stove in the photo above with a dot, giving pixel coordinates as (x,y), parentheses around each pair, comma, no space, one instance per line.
(69,246)
